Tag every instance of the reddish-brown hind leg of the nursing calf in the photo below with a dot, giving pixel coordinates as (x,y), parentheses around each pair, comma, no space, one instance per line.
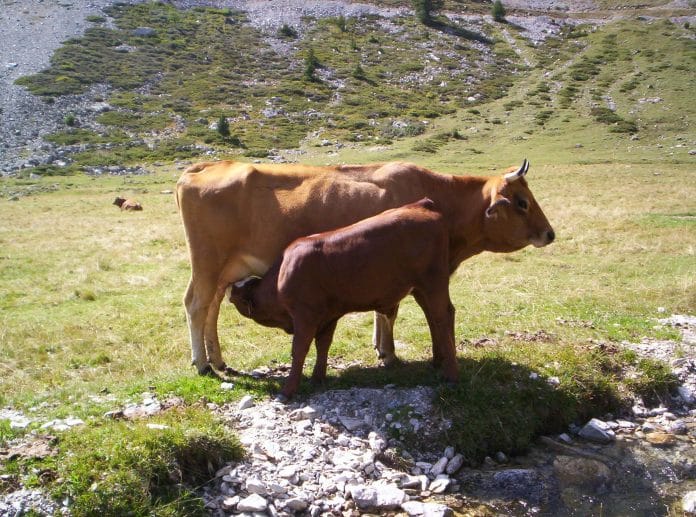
(439,312)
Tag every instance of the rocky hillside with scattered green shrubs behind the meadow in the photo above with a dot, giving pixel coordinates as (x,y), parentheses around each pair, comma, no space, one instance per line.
(133,83)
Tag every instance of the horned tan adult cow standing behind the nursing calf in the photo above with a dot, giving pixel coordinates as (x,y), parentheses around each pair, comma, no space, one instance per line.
(239,218)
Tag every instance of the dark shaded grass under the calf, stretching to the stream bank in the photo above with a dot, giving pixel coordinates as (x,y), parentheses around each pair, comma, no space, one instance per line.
(497,405)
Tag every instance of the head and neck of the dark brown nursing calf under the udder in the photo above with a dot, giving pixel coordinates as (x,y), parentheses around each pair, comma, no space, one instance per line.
(258,300)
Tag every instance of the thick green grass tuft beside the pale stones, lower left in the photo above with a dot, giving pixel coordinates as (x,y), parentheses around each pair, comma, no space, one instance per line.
(130,468)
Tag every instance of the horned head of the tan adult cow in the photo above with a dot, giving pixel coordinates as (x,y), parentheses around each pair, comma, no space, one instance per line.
(513,219)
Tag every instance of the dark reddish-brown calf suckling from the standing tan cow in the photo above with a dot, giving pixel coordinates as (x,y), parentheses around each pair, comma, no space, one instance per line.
(370,265)
